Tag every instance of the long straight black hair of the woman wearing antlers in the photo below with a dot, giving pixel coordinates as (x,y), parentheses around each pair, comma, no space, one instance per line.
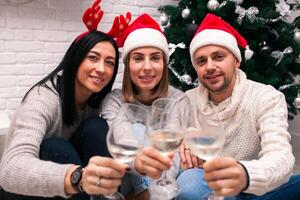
(65,84)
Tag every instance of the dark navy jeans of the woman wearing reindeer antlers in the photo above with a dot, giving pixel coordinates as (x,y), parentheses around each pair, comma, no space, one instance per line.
(89,140)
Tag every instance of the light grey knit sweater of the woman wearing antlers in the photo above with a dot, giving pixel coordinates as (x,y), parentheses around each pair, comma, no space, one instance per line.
(38,117)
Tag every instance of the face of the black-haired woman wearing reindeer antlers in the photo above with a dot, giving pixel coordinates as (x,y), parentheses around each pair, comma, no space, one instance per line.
(95,71)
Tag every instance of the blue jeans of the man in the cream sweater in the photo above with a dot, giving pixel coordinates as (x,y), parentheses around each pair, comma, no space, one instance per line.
(193,187)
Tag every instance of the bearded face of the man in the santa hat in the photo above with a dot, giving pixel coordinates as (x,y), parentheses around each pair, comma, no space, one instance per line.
(216,66)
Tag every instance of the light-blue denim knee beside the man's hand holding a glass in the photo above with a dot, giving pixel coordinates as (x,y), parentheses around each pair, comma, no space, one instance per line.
(192,185)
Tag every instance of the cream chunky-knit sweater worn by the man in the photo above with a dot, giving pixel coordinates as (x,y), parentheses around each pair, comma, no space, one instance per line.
(255,120)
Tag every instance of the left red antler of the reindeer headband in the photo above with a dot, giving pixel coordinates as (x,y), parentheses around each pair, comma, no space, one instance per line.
(92,16)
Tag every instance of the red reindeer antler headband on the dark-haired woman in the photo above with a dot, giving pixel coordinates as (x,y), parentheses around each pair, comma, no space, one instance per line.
(93,15)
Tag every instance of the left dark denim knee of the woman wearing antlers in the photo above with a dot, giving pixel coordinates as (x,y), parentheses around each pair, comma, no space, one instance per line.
(58,150)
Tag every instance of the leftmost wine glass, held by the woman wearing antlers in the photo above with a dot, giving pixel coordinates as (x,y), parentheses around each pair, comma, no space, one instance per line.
(125,138)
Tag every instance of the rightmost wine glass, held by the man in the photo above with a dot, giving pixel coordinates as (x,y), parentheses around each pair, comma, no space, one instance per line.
(206,139)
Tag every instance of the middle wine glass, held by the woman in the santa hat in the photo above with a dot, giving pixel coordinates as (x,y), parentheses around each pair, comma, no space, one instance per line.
(165,130)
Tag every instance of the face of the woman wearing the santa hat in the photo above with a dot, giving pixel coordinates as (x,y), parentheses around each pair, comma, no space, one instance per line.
(146,66)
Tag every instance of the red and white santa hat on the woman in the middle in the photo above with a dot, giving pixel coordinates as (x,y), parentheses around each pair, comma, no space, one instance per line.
(143,31)
